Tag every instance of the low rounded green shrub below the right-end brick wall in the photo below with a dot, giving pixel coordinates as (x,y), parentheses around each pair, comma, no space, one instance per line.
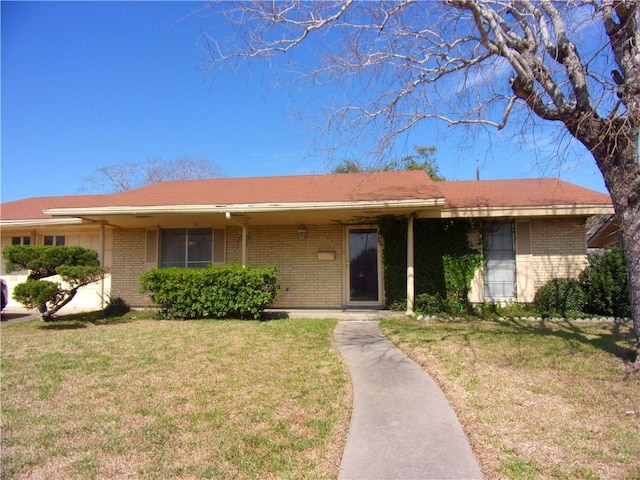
(560,296)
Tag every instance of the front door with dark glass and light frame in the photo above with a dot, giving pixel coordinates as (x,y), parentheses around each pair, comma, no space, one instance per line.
(364,277)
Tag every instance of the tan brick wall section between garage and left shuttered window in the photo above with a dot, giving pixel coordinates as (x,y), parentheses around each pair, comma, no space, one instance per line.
(128,265)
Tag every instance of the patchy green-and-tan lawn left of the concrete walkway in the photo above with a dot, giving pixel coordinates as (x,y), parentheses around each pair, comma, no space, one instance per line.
(170,399)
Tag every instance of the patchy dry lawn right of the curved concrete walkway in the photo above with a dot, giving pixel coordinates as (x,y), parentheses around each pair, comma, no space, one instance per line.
(537,399)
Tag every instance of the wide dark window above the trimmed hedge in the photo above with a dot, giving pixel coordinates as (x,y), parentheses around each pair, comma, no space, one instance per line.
(191,247)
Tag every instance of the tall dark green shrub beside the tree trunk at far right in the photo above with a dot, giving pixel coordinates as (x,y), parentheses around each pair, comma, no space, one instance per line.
(605,284)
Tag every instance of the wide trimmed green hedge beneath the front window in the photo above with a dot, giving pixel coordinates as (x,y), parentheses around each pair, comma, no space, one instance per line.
(231,291)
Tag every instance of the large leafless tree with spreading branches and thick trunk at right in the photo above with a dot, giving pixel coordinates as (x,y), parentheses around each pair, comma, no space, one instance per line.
(573,63)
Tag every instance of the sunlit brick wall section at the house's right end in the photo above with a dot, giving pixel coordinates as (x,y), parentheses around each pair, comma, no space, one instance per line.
(559,249)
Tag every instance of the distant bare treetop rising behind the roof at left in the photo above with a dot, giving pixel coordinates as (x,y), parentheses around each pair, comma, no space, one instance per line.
(125,176)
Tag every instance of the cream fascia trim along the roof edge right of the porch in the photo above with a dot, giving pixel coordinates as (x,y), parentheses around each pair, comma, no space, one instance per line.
(550,210)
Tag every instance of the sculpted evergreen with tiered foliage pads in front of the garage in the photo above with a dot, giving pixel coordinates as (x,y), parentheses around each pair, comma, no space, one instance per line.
(75,266)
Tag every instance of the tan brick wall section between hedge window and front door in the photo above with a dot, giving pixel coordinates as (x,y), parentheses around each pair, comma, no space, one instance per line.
(306,281)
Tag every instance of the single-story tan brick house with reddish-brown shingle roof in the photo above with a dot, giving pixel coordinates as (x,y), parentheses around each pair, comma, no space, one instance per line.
(311,227)
